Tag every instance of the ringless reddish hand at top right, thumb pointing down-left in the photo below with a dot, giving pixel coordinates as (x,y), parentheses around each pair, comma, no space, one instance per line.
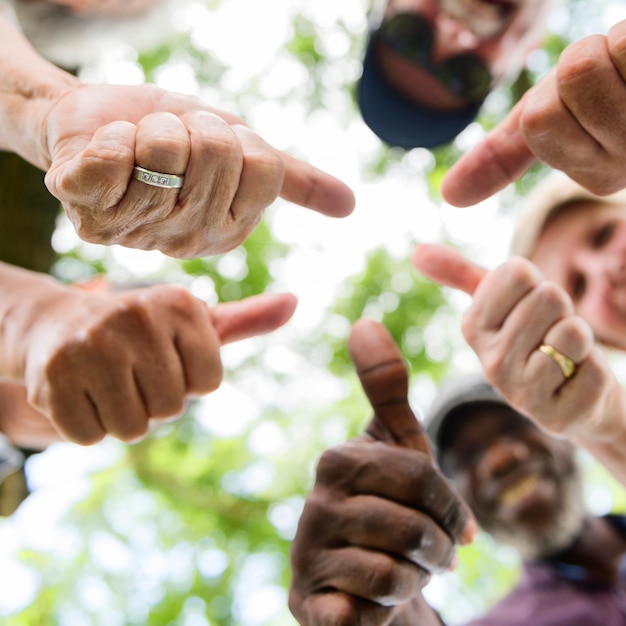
(572,120)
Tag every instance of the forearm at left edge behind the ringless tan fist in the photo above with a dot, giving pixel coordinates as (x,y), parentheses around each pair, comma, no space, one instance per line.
(26,300)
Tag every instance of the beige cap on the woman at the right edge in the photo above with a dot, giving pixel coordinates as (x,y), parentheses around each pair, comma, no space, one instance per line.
(553,193)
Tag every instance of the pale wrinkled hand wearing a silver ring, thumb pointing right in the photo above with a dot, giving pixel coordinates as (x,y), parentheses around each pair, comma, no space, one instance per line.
(95,134)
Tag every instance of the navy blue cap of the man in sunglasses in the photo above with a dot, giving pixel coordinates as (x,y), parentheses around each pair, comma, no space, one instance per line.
(399,121)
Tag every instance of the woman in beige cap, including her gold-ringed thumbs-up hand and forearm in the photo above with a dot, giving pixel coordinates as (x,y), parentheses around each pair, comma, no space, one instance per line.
(536,321)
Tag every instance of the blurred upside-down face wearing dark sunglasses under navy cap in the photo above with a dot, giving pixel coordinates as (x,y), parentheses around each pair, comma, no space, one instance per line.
(448,54)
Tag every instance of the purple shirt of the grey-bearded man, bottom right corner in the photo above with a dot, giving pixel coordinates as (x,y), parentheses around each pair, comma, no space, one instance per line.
(553,593)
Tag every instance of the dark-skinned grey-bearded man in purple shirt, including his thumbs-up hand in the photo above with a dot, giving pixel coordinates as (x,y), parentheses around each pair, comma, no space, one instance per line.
(382,518)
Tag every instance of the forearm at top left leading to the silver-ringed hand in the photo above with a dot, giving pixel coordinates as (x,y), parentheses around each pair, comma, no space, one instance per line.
(29,85)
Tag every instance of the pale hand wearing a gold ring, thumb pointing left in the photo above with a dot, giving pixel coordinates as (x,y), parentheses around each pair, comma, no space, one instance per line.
(514,310)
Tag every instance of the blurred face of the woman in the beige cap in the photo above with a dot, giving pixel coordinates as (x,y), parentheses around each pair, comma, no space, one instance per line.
(583,249)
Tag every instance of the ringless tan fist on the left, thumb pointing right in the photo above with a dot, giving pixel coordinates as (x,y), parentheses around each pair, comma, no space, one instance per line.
(99,364)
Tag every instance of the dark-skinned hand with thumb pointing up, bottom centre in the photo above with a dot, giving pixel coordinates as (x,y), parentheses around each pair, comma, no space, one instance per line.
(380,518)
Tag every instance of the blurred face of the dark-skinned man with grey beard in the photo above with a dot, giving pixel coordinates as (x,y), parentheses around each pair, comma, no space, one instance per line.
(522,484)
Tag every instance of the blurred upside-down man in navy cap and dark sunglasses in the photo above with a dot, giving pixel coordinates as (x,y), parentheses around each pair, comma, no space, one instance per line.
(429,64)
